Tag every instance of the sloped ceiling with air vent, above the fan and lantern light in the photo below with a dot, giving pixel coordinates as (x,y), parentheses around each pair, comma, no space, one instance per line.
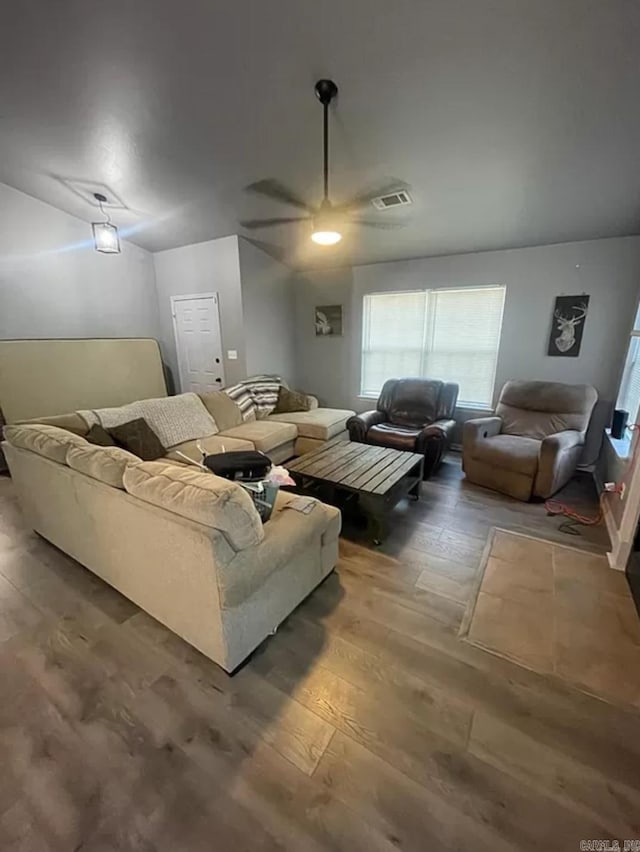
(515,122)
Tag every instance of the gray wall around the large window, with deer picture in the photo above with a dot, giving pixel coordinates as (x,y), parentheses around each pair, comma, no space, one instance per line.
(608,270)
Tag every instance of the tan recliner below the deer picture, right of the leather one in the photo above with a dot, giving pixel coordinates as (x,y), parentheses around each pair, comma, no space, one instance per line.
(533,443)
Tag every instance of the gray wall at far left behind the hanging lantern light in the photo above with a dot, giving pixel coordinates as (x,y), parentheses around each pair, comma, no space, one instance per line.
(54,284)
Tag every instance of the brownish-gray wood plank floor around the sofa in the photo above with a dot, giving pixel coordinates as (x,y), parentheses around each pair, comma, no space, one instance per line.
(365,723)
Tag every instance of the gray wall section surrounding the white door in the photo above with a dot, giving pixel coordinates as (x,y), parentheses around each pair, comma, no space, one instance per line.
(211,267)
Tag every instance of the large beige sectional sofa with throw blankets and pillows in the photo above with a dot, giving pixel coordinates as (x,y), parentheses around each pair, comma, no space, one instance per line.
(188,547)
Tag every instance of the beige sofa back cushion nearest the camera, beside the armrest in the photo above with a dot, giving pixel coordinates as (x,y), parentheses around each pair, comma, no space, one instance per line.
(198,496)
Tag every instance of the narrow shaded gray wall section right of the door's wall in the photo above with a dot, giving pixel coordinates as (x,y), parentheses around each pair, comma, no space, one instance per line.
(268,306)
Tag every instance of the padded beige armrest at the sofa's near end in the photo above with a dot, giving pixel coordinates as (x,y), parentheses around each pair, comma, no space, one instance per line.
(287,533)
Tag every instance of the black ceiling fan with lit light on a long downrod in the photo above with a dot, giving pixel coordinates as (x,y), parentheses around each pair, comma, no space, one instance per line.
(327,218)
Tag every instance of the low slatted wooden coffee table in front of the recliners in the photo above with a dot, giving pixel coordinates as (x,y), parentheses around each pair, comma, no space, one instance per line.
(378,475)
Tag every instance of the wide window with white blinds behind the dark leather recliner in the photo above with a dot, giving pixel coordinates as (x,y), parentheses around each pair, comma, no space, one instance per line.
(445,334)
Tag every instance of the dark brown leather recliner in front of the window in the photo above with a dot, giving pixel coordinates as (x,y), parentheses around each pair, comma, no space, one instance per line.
(412,414)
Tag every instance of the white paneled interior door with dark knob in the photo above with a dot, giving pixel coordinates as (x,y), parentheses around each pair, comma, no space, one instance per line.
(196,323)
